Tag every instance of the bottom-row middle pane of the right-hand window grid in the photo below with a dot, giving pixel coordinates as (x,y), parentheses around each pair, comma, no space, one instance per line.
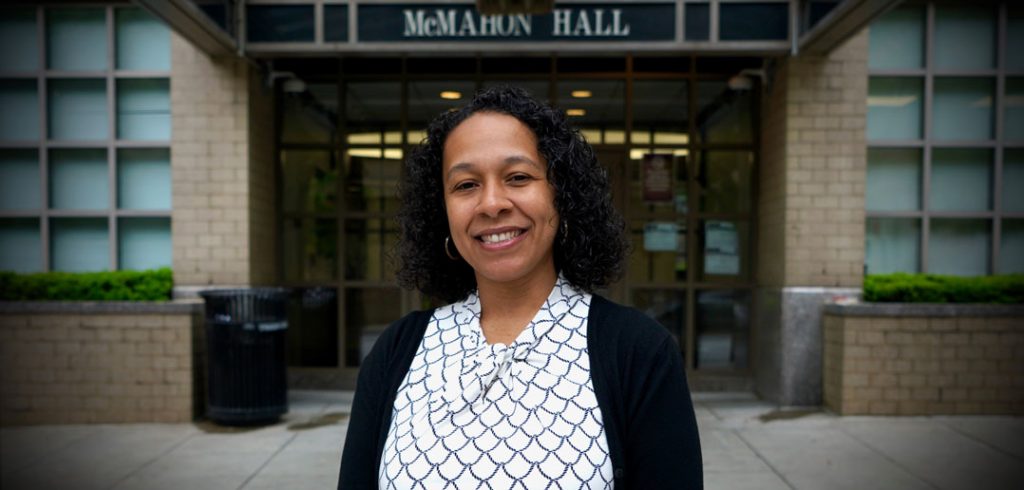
(959,247)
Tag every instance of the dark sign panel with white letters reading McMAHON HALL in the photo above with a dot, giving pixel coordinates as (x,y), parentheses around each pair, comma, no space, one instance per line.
(574,23)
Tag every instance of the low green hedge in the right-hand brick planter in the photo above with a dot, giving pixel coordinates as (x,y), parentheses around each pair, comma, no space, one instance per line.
(903,288)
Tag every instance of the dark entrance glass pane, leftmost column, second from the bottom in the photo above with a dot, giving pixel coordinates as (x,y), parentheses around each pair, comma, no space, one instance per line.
(311,249)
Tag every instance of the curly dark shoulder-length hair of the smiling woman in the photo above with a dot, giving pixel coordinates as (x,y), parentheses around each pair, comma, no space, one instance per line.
(589,256)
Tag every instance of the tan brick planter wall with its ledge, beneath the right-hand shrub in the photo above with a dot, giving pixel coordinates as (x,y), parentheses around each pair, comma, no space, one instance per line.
(924,360)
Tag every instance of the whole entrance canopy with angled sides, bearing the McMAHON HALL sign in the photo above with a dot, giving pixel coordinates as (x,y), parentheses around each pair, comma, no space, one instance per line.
(295,28)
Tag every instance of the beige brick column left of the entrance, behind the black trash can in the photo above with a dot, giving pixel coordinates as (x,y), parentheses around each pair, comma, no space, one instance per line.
(222,170)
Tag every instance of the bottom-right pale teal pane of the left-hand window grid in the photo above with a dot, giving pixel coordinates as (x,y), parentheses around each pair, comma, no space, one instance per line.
(144,244)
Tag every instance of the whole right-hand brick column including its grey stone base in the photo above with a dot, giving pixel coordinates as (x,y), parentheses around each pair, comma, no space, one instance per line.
(812,212)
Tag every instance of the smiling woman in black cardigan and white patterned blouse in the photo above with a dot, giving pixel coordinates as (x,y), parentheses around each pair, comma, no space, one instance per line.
(526,380)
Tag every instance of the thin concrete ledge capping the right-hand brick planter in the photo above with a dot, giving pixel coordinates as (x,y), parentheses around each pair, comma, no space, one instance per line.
(924,310)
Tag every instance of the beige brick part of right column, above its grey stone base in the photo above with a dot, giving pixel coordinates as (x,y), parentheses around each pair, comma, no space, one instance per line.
(812,214)
